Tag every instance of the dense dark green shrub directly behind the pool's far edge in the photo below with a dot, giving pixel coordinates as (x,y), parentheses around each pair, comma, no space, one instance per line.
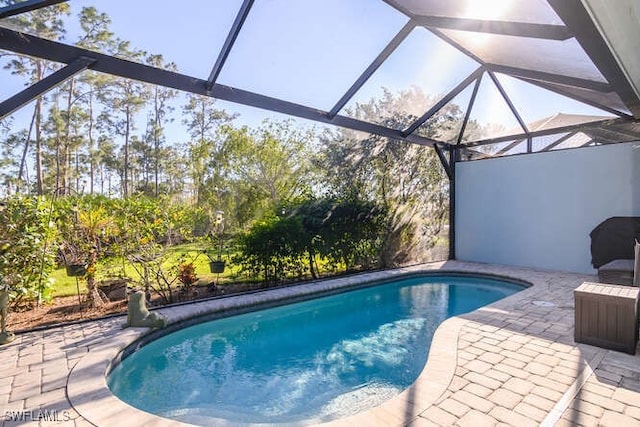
(342,233)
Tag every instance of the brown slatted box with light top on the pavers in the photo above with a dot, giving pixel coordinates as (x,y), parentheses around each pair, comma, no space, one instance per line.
(607,316)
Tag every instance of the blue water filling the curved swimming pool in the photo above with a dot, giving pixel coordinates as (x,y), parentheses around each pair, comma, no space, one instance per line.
(316,360)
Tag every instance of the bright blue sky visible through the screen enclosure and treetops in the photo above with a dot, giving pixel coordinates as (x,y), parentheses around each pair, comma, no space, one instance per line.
(307,52)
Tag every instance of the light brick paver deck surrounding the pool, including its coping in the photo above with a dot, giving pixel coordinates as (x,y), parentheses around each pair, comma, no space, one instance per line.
(511,363)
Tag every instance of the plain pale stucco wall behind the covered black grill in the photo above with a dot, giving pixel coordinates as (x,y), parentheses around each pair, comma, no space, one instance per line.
(538,210)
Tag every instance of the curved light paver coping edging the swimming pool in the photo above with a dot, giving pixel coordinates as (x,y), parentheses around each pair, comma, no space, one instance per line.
(87,380)
